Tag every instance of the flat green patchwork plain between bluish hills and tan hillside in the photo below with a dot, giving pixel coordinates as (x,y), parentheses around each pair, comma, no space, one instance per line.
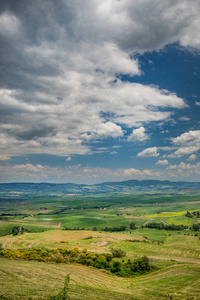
(82,210)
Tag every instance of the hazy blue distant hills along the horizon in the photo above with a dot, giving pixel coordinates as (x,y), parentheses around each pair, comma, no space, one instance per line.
(106,187)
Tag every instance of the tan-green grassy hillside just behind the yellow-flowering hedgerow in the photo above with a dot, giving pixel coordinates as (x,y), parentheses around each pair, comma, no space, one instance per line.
(176,246)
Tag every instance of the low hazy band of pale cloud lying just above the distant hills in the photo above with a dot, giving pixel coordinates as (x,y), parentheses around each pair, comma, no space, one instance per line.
(81,174)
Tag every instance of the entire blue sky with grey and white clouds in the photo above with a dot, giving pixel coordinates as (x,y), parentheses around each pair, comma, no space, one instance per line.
(94,91)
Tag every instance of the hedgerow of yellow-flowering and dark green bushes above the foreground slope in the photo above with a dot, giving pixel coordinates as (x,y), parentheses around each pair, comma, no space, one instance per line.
(105,261)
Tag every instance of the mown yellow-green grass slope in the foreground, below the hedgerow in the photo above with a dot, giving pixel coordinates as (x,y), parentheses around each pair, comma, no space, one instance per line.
(19,279)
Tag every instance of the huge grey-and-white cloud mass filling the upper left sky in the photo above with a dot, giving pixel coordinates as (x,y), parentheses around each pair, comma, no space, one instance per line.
(77,51)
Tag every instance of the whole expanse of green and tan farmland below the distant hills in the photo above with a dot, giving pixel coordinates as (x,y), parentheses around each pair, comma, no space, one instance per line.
(98,224)
